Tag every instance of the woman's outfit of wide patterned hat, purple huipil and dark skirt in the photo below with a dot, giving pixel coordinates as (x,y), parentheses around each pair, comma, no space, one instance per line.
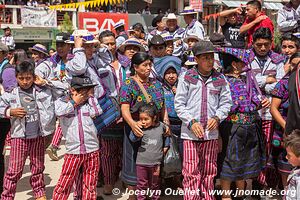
(243,149)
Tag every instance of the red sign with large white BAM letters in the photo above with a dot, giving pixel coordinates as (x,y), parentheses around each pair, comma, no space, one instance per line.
(97,22)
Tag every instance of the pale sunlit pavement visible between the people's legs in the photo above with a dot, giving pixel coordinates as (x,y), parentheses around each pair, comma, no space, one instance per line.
(52,172)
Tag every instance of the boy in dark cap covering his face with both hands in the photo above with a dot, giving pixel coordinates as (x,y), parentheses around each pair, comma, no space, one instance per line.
(76,113)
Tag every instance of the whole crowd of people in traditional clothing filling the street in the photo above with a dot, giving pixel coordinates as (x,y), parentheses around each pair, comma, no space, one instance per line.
(227,105)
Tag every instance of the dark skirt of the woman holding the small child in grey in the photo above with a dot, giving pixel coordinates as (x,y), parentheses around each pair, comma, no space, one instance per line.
(129,158)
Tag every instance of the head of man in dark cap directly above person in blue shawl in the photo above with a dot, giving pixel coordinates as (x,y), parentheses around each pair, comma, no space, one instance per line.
(157,46)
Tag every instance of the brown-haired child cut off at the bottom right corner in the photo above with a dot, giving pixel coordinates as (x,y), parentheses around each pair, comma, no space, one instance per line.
(292,145)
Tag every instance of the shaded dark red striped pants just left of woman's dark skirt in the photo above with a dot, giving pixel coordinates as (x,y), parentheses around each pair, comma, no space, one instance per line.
(111,159)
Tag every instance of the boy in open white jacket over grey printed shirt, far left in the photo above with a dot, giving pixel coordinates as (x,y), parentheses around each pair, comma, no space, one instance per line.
(31,112)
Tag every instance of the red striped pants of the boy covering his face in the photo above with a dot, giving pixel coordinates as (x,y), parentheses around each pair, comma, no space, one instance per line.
(89,164)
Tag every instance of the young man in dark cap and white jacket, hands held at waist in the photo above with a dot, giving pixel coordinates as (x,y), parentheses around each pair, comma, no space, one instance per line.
(202,101)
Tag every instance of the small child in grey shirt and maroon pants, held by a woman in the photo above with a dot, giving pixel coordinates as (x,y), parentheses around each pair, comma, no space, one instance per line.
(151,151)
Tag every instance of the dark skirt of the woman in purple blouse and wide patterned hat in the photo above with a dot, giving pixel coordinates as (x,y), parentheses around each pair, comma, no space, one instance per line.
(243,151)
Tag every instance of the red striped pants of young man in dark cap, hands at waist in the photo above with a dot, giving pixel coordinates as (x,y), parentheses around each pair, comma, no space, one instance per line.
(199,168)
